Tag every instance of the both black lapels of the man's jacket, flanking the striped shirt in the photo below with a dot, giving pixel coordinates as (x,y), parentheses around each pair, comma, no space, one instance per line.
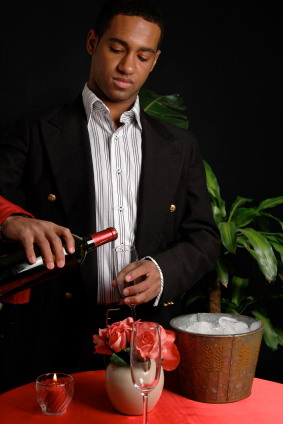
(67,145)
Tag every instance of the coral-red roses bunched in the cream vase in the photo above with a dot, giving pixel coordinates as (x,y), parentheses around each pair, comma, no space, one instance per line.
(115,341)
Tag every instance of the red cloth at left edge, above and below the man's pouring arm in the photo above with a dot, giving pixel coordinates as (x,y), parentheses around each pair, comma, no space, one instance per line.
(6,209)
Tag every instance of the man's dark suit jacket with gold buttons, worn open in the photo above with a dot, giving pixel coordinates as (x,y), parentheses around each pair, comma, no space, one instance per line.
(49,152)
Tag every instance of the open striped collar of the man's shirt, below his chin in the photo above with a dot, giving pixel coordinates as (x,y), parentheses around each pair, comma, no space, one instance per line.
(92,102)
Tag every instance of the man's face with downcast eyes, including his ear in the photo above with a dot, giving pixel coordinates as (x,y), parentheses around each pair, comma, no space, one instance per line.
(122,58)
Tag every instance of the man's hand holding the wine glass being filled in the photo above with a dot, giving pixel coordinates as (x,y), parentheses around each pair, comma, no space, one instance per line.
(149,286)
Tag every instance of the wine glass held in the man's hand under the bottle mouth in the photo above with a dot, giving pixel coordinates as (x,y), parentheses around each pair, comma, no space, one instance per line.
(123,256)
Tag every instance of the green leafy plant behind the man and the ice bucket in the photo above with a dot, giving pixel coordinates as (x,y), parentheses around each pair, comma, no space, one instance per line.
(248,227)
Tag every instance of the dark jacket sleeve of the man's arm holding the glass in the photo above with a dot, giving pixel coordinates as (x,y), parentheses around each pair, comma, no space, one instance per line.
(195,250)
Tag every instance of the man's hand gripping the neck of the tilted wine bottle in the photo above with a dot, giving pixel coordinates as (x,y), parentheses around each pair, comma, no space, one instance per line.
(45,234)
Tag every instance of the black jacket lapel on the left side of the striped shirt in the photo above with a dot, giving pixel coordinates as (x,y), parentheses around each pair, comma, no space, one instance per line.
(68,149)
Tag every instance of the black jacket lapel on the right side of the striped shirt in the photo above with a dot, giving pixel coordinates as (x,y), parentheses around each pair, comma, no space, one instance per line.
(162,158)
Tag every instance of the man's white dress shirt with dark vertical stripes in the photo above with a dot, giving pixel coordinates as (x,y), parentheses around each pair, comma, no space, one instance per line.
(116,157)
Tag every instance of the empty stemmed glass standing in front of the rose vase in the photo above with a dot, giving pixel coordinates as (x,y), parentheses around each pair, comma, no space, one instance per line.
(145,359)
